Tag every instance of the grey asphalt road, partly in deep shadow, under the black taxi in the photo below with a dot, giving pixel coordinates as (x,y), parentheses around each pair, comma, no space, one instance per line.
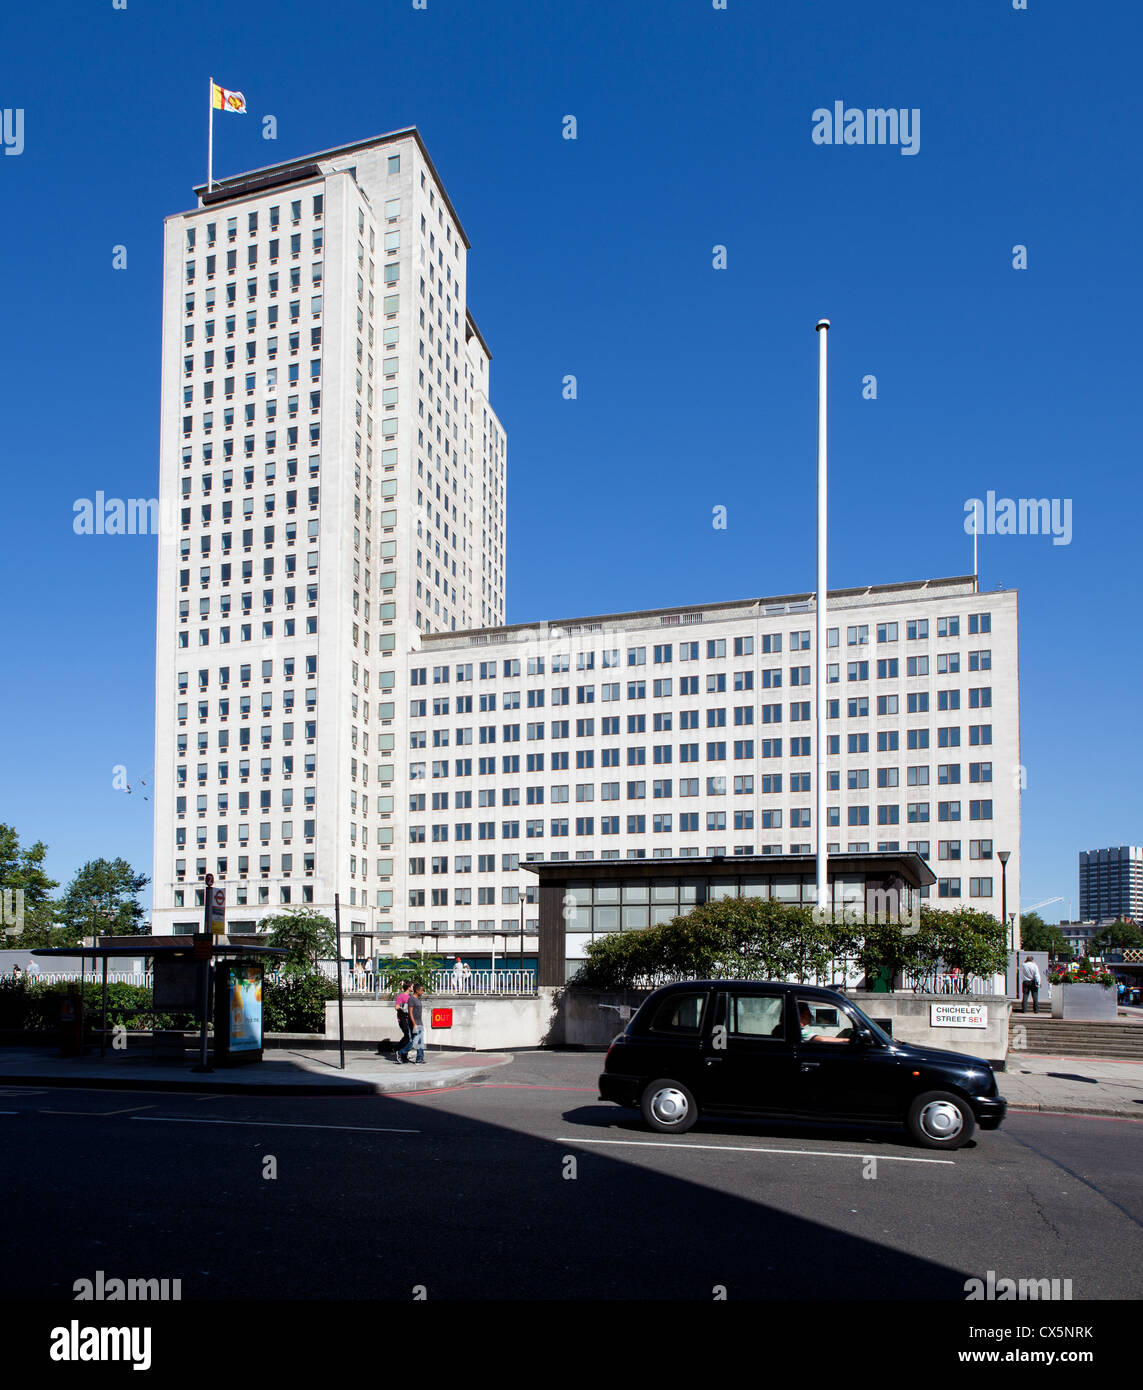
(528,1188)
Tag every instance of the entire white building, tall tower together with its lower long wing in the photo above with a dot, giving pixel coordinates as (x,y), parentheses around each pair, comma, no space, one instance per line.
(340,704)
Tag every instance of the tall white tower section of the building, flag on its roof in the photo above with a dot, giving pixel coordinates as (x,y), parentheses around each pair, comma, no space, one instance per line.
(336,477)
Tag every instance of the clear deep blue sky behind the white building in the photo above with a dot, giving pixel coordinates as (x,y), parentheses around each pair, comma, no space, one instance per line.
(697,387)
